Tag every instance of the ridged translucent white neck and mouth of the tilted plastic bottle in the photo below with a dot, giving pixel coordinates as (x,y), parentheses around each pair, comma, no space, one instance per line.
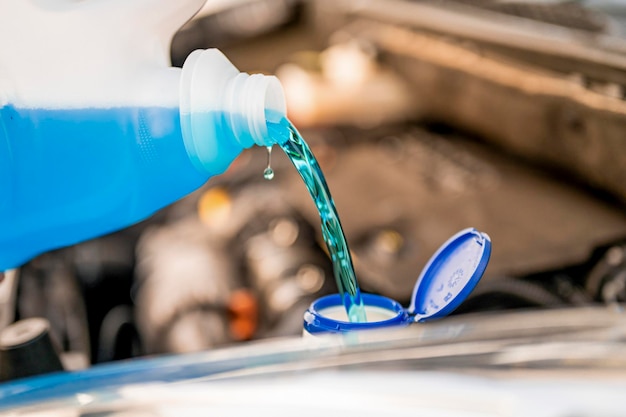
(222,109)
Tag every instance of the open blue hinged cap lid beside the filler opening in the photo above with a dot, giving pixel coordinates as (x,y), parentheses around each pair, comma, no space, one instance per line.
(450,275)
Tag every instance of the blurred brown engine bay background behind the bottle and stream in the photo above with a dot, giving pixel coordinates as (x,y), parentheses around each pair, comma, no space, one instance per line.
(427,117)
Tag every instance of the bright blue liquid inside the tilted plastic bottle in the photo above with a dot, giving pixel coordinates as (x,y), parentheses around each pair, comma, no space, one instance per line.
(70,175)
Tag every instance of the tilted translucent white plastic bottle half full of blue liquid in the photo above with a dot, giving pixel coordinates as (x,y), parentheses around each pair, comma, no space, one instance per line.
(97,131)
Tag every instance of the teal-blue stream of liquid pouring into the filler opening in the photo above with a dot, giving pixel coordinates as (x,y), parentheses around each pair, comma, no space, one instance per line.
(303,159)
